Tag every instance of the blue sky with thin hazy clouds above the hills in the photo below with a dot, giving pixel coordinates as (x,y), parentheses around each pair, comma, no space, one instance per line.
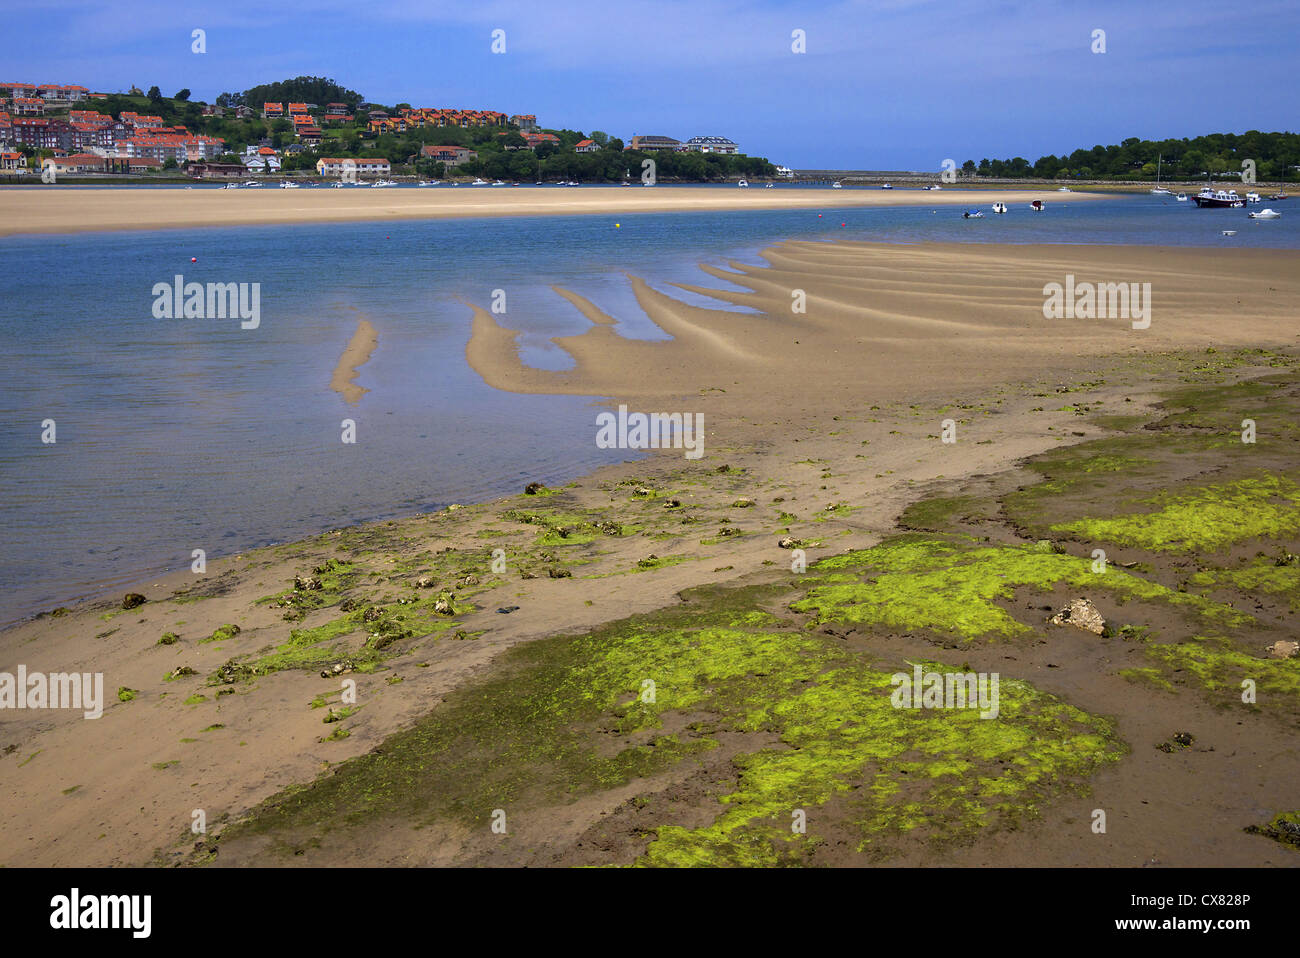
(892,85)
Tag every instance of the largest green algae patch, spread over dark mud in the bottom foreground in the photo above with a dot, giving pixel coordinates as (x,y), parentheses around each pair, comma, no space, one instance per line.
(566,717)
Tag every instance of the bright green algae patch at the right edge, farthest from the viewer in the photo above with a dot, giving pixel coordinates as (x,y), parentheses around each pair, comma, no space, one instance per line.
(1207,519)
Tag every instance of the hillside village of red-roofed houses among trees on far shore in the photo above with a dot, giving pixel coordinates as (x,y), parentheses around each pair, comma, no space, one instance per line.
(53,131)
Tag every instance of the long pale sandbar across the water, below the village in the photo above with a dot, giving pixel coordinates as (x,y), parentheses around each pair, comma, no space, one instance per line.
(84,209)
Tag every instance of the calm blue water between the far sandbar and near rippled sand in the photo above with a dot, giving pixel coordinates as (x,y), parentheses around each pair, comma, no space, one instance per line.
(180,435)
